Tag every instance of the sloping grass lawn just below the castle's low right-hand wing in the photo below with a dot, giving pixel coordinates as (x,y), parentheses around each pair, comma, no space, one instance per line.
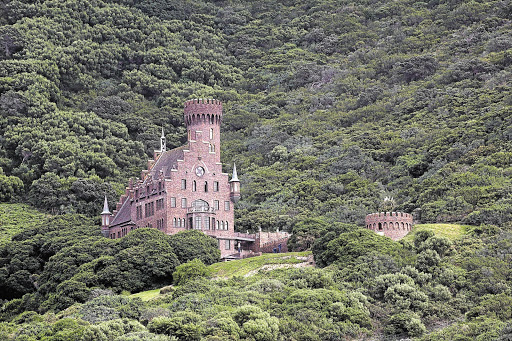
(244,266)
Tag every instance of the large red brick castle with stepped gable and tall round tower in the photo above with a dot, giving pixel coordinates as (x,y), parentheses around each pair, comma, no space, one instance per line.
(185,188)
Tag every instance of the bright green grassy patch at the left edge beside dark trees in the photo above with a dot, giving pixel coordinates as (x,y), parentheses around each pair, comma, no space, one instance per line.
(14,218)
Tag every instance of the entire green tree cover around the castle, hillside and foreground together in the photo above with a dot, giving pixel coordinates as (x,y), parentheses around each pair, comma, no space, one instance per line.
(329,106)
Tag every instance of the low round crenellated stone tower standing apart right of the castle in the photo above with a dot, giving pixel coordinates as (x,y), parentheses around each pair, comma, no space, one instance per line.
(394,225)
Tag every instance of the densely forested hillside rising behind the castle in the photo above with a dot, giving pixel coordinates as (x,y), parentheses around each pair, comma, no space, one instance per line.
(329,106)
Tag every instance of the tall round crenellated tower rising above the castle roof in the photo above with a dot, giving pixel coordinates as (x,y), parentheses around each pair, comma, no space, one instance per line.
(202,118)
